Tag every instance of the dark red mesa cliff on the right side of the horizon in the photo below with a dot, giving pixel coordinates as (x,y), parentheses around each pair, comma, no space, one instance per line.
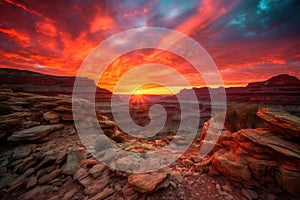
(278,90)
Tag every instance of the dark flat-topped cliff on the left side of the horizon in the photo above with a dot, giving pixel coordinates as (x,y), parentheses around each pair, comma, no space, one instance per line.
(32,82)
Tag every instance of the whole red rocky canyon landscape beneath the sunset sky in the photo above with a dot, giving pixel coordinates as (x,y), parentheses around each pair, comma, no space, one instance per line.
(43,157)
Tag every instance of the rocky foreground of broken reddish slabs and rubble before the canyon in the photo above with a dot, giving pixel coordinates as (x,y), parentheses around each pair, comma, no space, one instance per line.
(42,157)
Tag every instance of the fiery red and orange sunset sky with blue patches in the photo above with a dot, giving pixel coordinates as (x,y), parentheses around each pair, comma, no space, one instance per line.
(250,40)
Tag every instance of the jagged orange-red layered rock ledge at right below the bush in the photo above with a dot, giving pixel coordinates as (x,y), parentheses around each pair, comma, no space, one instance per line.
(263,157)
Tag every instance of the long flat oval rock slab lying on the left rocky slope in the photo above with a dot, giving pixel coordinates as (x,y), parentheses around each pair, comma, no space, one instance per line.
(34,133)
